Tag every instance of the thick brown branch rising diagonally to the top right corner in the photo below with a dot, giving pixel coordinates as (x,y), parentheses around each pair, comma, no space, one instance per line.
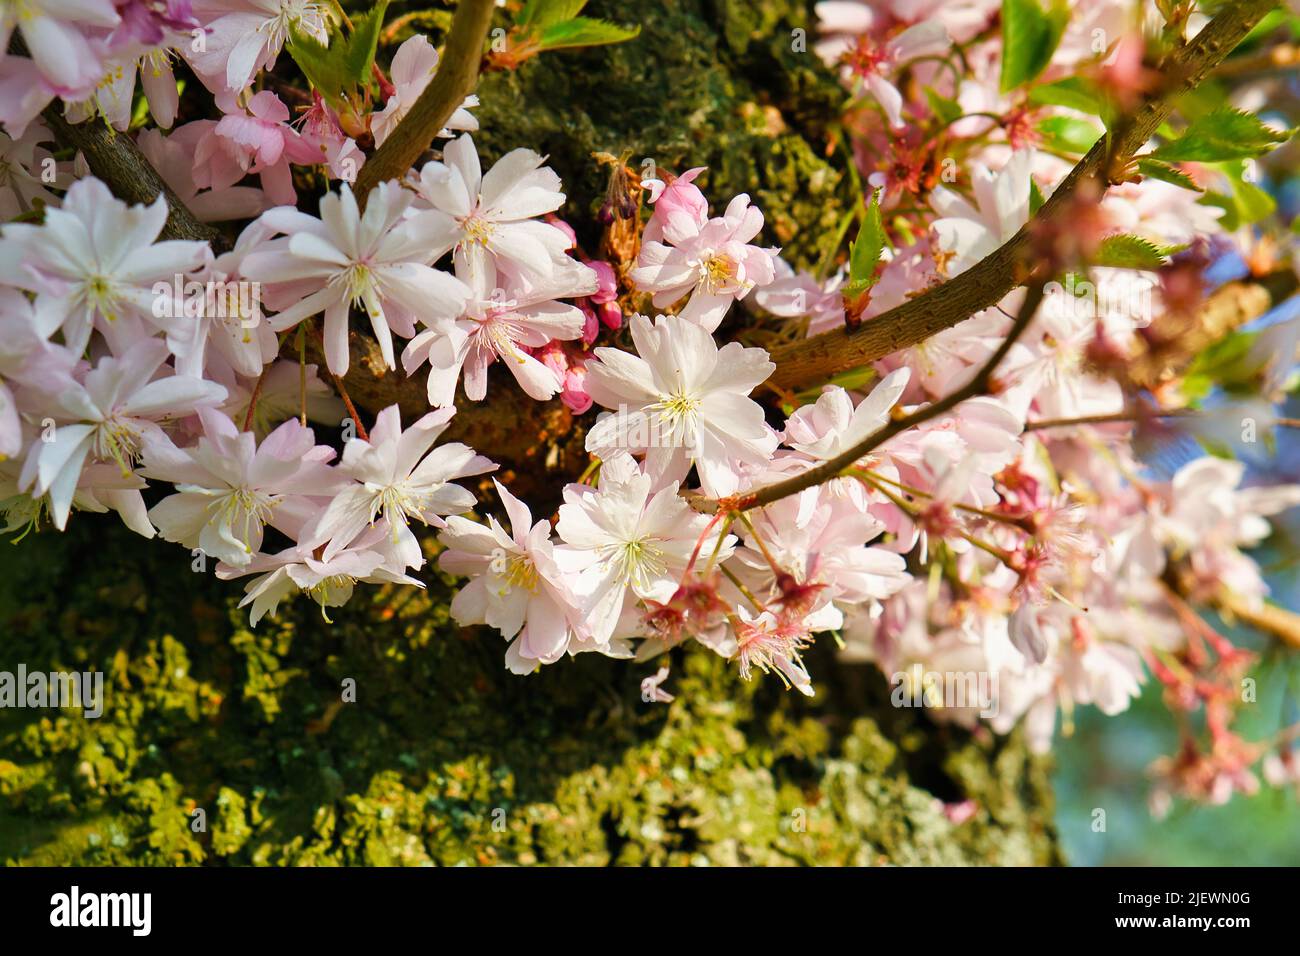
(986,284)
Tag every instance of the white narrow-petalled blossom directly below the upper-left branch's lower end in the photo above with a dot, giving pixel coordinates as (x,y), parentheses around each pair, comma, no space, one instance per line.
(378,262)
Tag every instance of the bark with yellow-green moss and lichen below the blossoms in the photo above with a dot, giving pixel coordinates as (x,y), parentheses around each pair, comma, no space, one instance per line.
(445,758)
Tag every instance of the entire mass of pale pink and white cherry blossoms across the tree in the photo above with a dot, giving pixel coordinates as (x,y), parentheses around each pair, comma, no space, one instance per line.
(1013,537)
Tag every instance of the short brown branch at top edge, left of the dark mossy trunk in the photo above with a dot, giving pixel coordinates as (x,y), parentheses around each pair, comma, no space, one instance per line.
(457,77)
